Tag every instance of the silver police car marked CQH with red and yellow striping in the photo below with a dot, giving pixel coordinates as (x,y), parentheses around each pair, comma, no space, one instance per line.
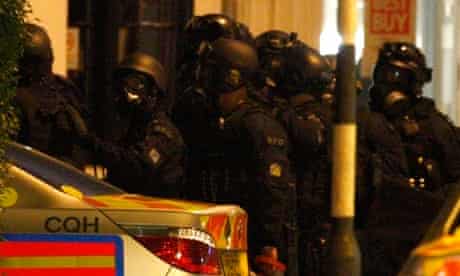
(55,220)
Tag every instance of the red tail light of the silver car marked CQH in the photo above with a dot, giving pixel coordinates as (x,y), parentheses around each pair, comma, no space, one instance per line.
(188,249)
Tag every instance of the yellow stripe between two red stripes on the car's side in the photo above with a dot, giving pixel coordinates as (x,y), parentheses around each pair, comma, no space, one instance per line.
(62,262)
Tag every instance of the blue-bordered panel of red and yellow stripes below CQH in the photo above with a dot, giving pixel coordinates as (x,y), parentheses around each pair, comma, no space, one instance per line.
(67,255)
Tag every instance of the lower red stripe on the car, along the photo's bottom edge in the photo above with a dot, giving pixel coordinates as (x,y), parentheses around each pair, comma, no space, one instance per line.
(58,271)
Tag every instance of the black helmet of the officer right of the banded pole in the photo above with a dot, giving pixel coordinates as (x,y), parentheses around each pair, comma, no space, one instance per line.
(403,64)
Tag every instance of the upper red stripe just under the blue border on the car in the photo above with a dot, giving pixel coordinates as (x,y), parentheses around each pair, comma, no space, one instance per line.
(23,249)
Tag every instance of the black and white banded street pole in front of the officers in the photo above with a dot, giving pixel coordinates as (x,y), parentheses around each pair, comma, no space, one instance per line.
(343,255)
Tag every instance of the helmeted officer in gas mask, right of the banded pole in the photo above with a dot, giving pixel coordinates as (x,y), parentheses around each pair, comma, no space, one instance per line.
(430,139)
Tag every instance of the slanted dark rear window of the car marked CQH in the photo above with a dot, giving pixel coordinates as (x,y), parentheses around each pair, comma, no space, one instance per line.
(56,173)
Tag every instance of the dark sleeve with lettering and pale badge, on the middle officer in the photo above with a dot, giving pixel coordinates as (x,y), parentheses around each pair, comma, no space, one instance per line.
(273,198)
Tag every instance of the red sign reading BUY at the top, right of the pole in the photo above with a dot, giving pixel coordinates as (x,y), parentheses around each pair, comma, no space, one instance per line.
(390,17)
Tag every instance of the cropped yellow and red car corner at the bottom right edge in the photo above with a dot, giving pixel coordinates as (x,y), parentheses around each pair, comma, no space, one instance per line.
(439,252)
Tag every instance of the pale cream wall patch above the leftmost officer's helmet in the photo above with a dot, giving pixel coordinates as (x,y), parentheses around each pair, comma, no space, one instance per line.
(52,15)
